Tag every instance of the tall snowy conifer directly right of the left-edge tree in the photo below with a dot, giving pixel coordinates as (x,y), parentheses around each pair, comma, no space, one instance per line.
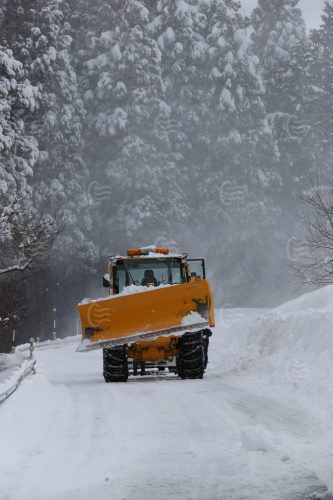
(42,39)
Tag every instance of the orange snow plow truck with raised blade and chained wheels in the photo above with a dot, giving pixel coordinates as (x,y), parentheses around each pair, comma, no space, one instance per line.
(157,314)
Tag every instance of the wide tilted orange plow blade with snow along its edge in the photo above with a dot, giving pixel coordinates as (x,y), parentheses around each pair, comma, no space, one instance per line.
(168,310)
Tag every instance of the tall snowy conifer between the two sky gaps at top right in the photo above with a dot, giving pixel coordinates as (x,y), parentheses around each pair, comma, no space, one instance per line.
(281,44)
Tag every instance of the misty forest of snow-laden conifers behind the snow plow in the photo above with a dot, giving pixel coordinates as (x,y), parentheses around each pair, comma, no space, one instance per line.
(178,123)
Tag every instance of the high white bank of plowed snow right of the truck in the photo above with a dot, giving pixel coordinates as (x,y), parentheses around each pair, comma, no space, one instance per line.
(291,344)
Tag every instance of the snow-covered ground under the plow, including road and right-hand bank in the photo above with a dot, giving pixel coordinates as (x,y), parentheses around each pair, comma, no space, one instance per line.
(257,427)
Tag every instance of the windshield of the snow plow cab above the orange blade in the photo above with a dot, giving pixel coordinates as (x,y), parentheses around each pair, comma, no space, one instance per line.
(148,272)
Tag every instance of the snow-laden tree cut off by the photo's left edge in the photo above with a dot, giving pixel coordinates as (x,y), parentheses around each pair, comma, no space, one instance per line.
(18,154)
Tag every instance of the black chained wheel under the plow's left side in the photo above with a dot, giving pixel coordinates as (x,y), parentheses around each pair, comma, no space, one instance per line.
(115,367)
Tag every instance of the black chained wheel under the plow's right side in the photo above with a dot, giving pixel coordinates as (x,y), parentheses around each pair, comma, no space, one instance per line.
(191,359)
